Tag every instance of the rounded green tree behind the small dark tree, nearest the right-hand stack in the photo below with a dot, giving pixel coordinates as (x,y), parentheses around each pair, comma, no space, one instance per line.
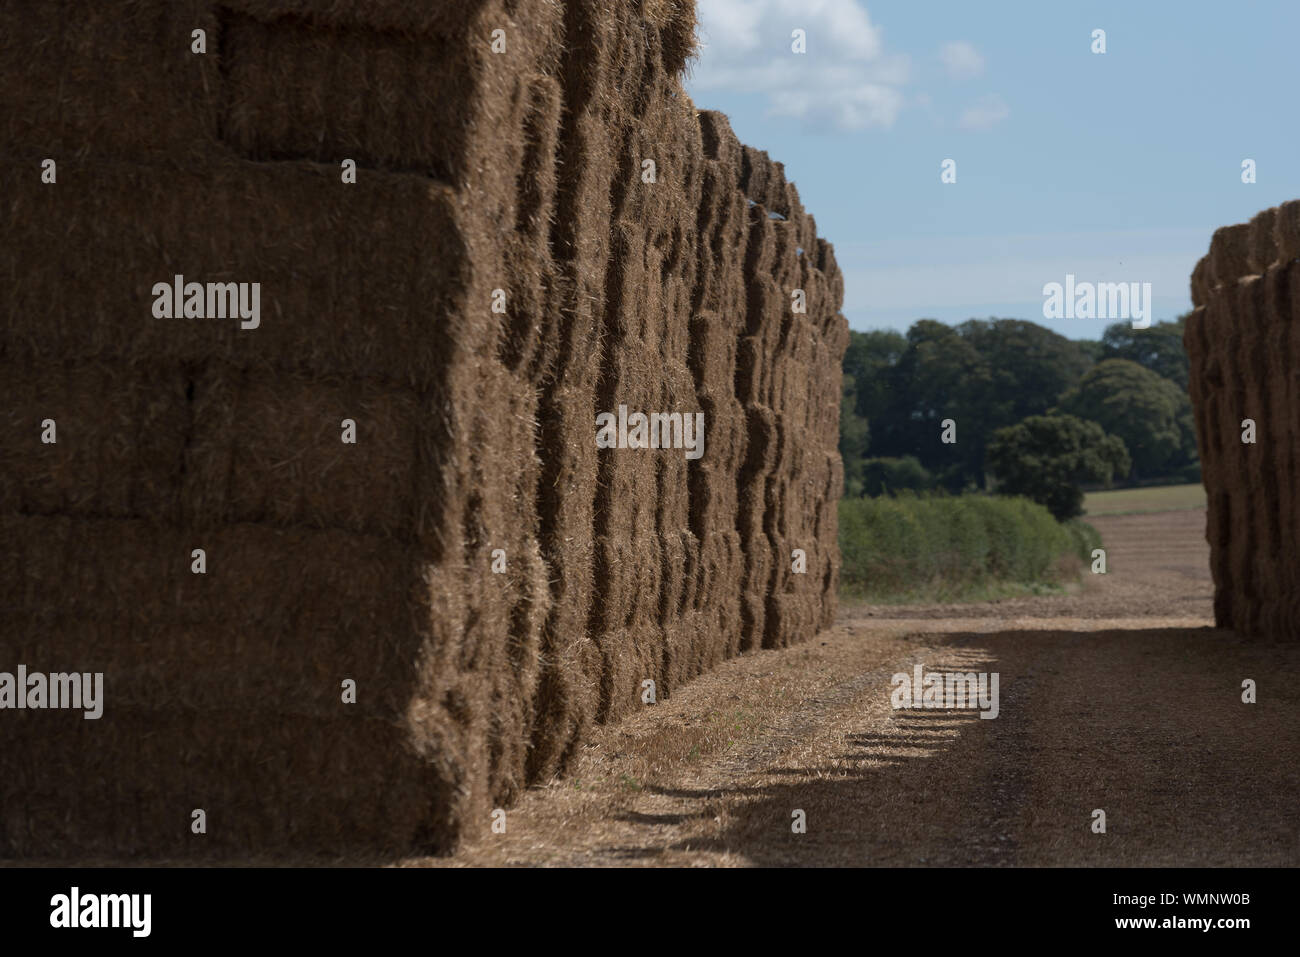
(1147,412)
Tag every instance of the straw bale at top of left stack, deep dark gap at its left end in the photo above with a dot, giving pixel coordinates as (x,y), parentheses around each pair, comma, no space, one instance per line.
(383,86)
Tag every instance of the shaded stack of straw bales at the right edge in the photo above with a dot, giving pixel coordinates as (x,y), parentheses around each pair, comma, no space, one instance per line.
(1243,343)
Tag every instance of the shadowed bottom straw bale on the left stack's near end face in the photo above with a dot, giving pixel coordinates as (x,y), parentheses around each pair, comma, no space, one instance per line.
(292,786)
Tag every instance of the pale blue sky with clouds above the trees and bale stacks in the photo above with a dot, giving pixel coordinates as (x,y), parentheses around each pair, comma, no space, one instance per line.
(1115,167)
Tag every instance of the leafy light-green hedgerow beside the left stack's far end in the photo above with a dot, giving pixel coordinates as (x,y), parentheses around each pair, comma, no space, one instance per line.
(954,547)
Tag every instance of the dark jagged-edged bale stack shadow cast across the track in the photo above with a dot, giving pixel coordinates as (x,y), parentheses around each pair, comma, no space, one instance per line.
(1149,726)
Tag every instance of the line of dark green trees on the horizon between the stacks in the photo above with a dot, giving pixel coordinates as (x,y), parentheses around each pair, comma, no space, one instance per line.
(1035,414)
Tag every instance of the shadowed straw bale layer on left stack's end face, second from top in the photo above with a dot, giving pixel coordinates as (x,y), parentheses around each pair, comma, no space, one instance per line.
(344,270)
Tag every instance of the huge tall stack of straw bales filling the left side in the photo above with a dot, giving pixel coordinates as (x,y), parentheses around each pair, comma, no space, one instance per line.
(489,579)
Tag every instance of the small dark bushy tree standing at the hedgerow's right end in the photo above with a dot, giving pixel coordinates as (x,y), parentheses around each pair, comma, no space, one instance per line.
(1047,457)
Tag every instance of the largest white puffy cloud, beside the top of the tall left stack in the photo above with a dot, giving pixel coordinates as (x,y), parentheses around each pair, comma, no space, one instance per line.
(846,80)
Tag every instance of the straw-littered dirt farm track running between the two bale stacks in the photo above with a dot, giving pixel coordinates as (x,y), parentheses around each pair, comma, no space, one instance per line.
(1120,696)
